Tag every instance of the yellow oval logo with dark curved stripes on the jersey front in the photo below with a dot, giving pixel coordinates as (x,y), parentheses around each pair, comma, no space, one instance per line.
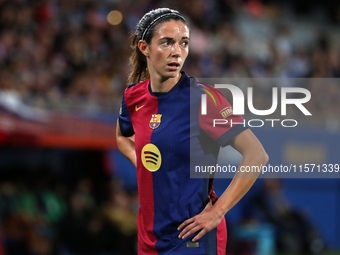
(151,157)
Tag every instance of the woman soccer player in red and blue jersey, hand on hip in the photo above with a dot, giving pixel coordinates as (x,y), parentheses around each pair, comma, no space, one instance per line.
(160,129)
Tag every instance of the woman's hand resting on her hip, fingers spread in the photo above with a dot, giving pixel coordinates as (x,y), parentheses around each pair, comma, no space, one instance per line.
(202,223)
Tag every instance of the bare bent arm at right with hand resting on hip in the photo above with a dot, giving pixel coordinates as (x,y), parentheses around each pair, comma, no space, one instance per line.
(253,155)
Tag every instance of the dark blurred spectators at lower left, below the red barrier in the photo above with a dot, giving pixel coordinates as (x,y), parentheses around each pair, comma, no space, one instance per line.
(45,220)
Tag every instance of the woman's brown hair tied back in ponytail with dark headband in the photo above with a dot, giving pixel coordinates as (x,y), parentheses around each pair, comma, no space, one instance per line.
(144,31)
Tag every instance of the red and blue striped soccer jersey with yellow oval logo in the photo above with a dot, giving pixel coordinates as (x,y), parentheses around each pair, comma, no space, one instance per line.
(166,126)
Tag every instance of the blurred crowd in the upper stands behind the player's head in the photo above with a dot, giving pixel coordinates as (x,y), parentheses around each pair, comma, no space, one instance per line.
(65,54)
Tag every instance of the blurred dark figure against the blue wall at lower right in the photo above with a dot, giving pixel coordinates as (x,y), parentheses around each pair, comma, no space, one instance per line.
(271,225)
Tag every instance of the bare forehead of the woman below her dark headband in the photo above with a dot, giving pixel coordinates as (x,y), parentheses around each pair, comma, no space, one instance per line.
(171,29)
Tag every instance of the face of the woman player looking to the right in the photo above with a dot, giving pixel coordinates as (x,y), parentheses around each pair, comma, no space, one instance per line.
(168,49)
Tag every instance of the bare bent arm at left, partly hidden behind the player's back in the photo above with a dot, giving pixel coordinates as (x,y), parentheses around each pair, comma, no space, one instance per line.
(126,145)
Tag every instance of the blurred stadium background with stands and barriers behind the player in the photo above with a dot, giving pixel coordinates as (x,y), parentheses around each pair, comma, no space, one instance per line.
(64,188)
